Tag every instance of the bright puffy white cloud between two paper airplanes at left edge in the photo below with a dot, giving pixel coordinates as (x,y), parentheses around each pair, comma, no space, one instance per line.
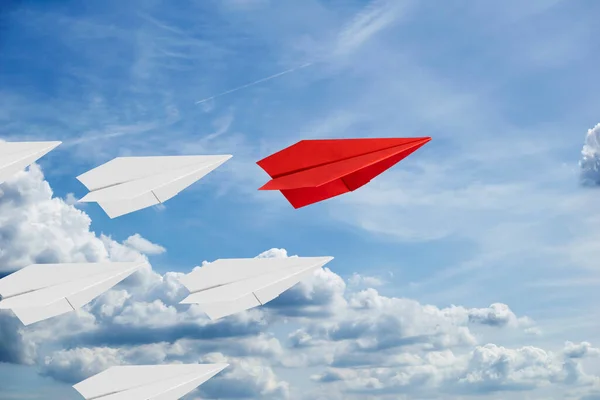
(37,228)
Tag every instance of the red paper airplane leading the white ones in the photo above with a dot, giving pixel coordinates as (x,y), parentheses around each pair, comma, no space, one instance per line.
(315,170)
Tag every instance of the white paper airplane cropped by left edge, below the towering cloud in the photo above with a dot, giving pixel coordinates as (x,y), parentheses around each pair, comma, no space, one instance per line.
(42,291)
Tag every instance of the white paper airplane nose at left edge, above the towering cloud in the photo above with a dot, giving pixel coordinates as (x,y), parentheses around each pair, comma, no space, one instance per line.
(16,156)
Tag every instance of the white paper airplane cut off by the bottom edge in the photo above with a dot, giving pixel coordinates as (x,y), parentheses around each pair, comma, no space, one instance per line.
(147,382)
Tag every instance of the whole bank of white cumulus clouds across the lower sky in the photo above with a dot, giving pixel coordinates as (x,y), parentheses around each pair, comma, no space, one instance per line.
(358,344)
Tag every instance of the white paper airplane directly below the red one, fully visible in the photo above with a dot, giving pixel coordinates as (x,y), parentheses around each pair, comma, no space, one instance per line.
(228,286)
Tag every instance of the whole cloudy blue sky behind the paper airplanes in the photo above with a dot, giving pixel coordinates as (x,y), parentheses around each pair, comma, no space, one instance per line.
(468,271)
